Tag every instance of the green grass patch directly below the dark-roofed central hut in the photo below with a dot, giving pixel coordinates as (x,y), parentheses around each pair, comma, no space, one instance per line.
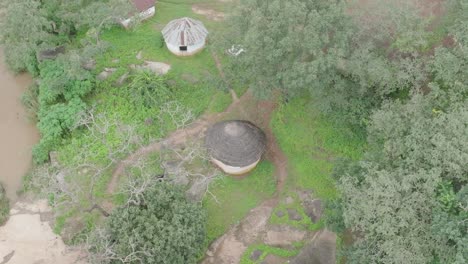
(236,197)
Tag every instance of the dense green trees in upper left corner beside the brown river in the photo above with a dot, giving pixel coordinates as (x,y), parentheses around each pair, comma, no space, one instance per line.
(29,27)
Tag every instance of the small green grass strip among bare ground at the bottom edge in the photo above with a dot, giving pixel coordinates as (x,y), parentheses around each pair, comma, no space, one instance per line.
(281,252)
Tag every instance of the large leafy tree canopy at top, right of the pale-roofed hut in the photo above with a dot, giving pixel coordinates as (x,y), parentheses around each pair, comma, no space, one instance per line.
(316,46)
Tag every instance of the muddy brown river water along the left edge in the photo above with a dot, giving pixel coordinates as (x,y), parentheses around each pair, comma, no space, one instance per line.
(17,133)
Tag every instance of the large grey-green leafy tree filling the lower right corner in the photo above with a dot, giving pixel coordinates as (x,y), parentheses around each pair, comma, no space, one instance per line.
(388,198)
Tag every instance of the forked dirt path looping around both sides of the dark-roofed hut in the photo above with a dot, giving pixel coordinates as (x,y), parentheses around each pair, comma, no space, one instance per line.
(230,247)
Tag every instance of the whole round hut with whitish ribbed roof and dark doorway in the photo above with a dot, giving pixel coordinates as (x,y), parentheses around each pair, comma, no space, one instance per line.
(185,36)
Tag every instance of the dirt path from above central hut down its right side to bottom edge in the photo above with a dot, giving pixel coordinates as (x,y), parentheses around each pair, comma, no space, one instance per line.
(229,248)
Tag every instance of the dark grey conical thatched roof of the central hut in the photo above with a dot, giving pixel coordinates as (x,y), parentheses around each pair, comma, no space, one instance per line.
(235,143)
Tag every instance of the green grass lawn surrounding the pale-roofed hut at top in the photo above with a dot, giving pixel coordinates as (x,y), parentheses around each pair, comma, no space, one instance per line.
(196,77)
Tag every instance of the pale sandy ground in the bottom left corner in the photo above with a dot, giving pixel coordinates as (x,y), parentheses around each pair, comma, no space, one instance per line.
(27,238)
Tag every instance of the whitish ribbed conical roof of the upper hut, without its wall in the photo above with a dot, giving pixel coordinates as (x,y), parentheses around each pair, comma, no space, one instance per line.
(184,32)
